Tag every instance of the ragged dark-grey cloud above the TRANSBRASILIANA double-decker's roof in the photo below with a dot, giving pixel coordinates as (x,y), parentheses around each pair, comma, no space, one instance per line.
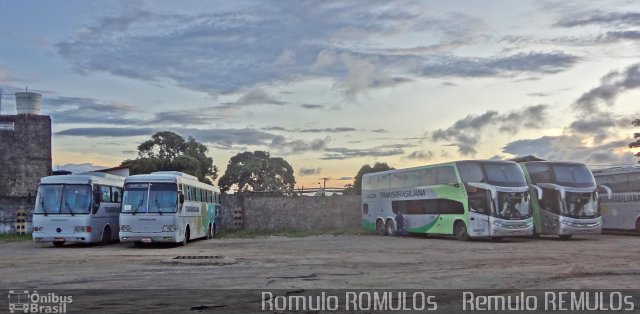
(466,133)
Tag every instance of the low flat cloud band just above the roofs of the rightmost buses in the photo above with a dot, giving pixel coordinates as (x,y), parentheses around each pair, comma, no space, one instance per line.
(572,148)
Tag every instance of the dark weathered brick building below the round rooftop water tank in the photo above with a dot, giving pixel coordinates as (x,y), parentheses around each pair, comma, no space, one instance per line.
(25,154)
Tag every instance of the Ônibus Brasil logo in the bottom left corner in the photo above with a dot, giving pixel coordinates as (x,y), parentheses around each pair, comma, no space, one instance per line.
(21,301)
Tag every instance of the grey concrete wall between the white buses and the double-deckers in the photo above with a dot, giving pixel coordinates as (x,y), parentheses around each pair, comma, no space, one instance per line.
(302,213)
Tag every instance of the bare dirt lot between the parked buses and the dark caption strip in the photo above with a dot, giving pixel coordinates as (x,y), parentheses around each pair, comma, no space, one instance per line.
(350,261)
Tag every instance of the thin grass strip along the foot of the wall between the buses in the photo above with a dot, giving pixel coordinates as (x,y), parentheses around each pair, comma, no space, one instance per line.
(247,234)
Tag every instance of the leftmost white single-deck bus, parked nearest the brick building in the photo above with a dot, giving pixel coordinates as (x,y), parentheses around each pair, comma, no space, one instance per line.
(80,208)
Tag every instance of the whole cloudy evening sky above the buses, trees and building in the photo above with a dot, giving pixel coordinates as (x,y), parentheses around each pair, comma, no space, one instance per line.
(330,85)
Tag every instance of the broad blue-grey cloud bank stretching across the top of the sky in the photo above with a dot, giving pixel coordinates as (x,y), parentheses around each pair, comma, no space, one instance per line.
(234,49)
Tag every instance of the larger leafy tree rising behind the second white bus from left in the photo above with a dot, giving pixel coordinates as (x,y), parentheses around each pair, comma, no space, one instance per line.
(168,151)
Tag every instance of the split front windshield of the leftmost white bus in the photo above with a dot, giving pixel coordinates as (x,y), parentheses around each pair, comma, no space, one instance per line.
(63,199)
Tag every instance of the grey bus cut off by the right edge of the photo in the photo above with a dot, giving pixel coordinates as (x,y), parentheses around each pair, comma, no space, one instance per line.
(620,210)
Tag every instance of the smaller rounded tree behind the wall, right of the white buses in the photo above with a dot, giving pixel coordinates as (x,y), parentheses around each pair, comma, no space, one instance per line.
(257,171)
